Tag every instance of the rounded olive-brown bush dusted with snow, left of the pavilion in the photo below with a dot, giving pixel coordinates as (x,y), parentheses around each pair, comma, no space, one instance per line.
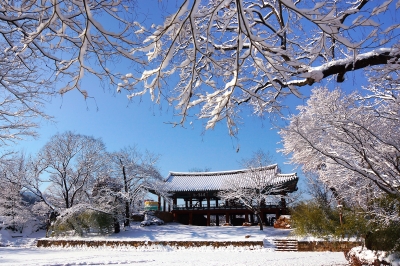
(83,223)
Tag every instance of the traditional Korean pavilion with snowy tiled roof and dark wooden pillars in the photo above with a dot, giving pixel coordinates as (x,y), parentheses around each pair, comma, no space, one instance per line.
(197,193)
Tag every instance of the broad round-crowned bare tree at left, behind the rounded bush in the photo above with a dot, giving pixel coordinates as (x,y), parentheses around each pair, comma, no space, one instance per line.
(71,162)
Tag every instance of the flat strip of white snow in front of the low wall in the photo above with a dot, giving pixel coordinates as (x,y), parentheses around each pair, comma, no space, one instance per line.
(168,256)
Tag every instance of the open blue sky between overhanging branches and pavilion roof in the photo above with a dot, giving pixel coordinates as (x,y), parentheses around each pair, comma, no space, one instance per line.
(119,123)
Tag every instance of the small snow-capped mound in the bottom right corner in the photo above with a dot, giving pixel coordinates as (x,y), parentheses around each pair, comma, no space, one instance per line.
(363,256)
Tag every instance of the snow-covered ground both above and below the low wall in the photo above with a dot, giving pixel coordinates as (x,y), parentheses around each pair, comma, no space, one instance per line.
(22,250)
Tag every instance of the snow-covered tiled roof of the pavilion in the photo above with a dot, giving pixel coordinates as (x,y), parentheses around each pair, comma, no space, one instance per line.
(216,181)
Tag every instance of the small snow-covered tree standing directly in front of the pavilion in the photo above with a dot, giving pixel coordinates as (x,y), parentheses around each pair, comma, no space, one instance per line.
(256,188)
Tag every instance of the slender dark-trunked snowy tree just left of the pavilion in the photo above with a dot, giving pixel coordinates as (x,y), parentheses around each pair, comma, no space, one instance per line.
(137,172)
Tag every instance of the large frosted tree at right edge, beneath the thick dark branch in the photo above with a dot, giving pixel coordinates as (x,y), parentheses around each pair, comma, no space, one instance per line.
(353,142)
